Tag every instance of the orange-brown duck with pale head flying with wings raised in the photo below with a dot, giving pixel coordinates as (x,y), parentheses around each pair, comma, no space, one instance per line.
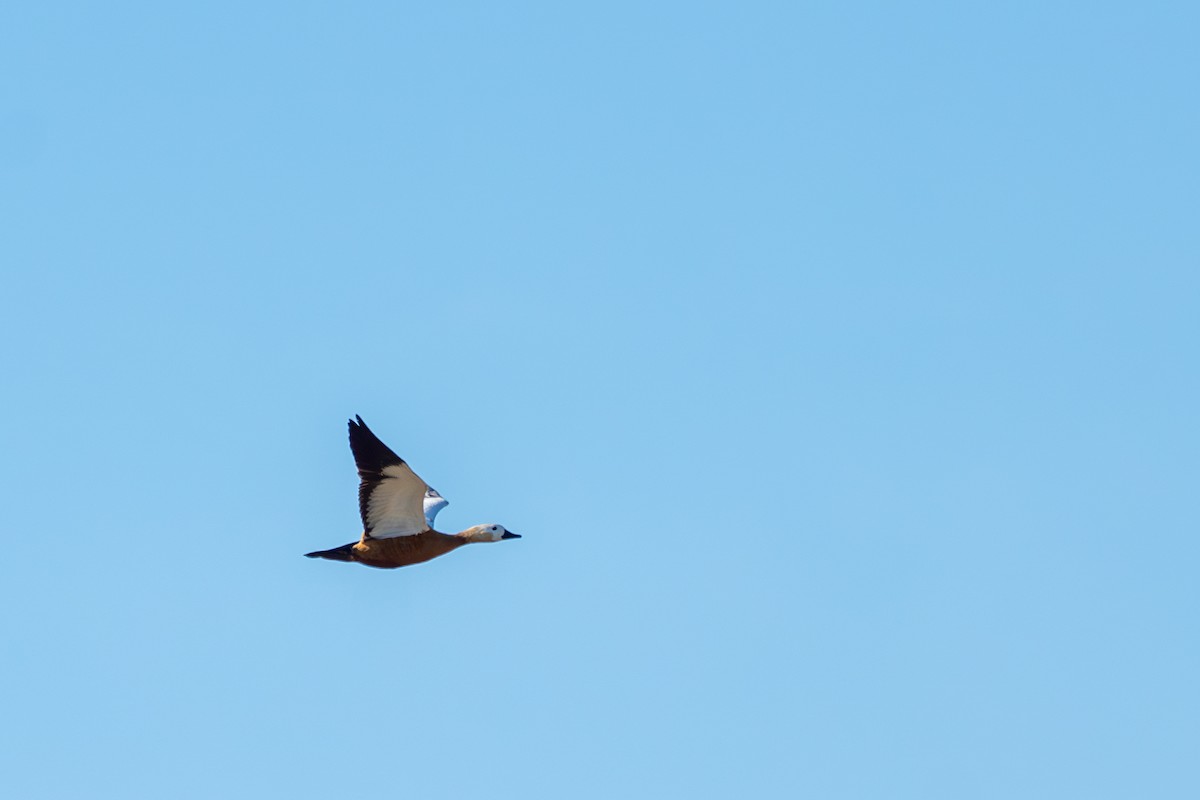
(398,512)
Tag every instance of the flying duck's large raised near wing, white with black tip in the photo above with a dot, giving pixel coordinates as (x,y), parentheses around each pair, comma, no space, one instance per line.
(392,497)
